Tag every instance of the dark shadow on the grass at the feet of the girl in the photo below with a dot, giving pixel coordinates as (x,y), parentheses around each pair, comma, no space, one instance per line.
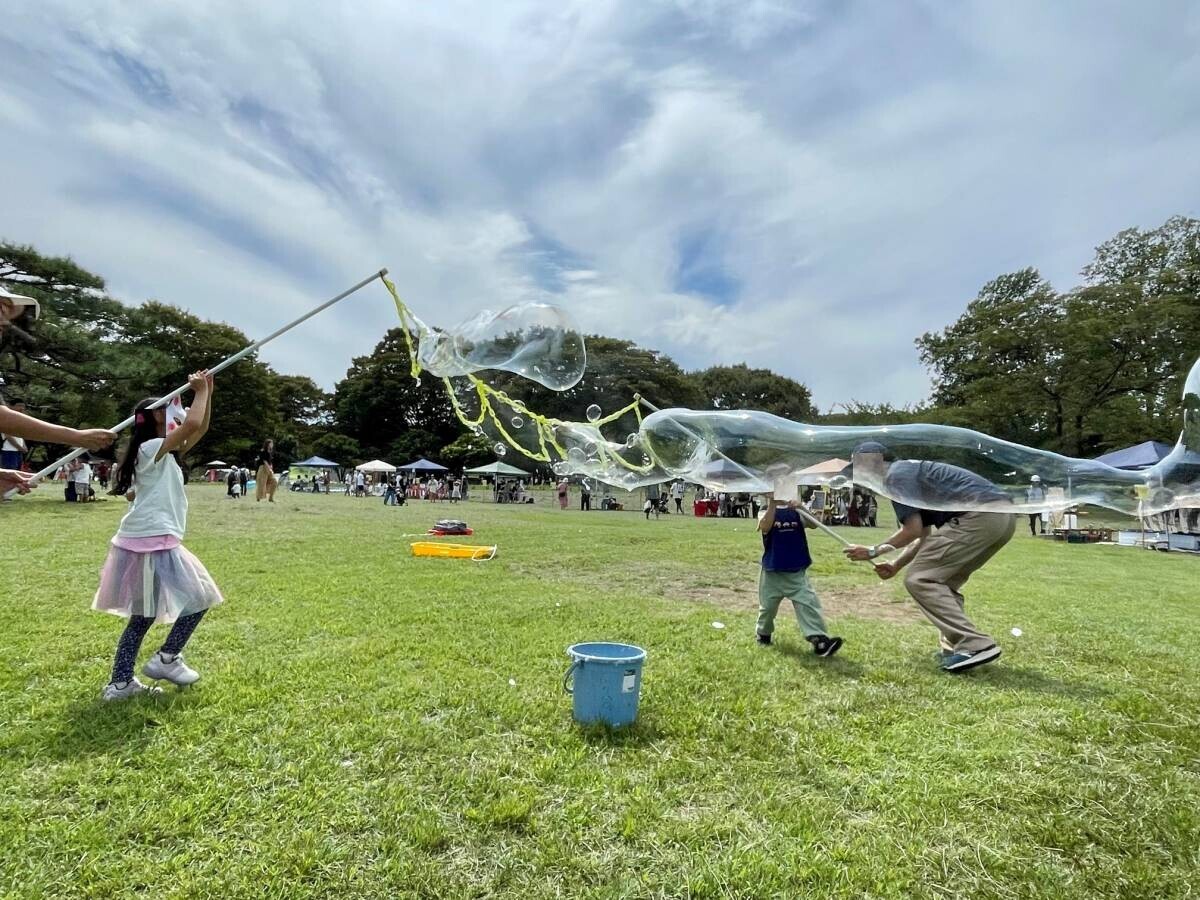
(93,728)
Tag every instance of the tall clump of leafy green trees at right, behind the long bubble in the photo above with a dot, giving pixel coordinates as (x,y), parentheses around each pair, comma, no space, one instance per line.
(1088,370)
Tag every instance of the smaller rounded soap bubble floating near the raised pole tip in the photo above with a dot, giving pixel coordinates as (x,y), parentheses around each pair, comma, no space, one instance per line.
(536,341)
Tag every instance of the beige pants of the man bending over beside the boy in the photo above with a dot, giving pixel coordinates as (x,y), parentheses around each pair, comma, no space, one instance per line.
(943,566)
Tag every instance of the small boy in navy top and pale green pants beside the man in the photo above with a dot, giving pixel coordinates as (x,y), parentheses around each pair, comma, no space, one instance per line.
(785,562)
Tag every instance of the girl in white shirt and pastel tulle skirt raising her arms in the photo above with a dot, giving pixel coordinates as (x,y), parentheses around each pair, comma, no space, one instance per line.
(149,577)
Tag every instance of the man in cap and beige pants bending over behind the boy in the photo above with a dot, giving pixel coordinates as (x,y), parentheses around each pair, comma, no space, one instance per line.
(941,549)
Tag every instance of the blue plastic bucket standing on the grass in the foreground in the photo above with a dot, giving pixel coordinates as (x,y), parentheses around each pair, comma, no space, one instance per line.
(608,682)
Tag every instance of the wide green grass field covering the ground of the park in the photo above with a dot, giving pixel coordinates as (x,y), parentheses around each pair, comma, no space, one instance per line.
(357,734)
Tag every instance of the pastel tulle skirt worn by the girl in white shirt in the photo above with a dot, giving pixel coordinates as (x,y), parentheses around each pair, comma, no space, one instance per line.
(163,585)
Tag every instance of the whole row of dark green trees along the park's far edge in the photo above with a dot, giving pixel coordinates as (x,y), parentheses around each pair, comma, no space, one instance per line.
(1082,371)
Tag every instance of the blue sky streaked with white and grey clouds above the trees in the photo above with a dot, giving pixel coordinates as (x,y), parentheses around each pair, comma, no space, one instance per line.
(801,187)
